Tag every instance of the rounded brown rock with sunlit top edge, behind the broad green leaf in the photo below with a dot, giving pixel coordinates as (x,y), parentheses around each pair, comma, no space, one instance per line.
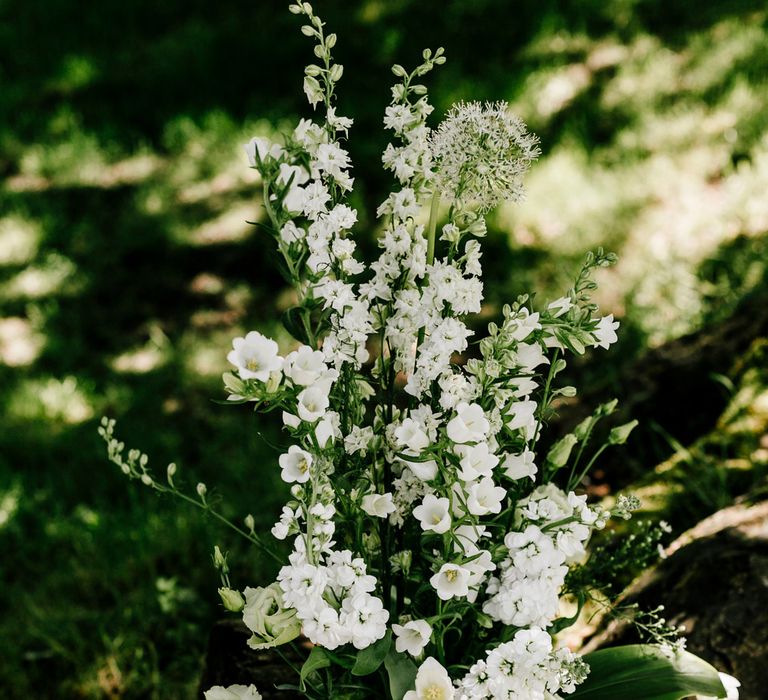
(715,582)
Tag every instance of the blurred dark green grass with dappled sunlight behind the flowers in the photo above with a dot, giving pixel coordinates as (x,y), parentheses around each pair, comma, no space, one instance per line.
(126,265)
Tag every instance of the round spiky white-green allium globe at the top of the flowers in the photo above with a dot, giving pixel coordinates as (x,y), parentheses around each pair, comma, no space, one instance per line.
(481,153)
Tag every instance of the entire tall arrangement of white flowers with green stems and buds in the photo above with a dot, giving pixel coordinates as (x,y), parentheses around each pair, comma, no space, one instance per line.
(432,539)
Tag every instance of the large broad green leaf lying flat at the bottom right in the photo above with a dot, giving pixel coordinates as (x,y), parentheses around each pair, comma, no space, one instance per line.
(645,672)
